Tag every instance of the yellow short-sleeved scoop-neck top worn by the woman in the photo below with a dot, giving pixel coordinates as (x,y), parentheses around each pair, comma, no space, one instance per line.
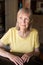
(19,44)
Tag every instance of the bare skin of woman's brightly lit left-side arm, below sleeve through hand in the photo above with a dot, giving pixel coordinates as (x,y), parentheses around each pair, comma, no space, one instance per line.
(17,60)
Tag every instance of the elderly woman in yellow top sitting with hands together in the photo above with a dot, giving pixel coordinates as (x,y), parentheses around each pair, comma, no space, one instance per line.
(22,39)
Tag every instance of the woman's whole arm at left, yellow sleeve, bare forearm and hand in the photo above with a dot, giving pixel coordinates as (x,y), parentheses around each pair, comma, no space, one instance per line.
(4,41)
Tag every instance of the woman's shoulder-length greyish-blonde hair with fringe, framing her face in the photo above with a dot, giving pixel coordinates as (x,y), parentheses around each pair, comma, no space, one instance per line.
(27,11)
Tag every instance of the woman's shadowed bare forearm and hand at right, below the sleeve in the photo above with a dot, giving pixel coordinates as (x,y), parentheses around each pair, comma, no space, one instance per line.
(27,56)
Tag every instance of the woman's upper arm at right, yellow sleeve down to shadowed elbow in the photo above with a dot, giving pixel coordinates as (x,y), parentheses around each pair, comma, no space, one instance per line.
(36,44)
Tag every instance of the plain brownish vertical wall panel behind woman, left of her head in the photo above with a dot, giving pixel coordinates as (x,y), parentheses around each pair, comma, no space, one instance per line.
(11,7)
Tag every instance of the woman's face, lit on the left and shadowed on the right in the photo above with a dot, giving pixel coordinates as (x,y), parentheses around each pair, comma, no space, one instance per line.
(23,20)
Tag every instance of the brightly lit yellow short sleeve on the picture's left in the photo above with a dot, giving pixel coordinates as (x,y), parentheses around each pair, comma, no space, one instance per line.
(6,37)
